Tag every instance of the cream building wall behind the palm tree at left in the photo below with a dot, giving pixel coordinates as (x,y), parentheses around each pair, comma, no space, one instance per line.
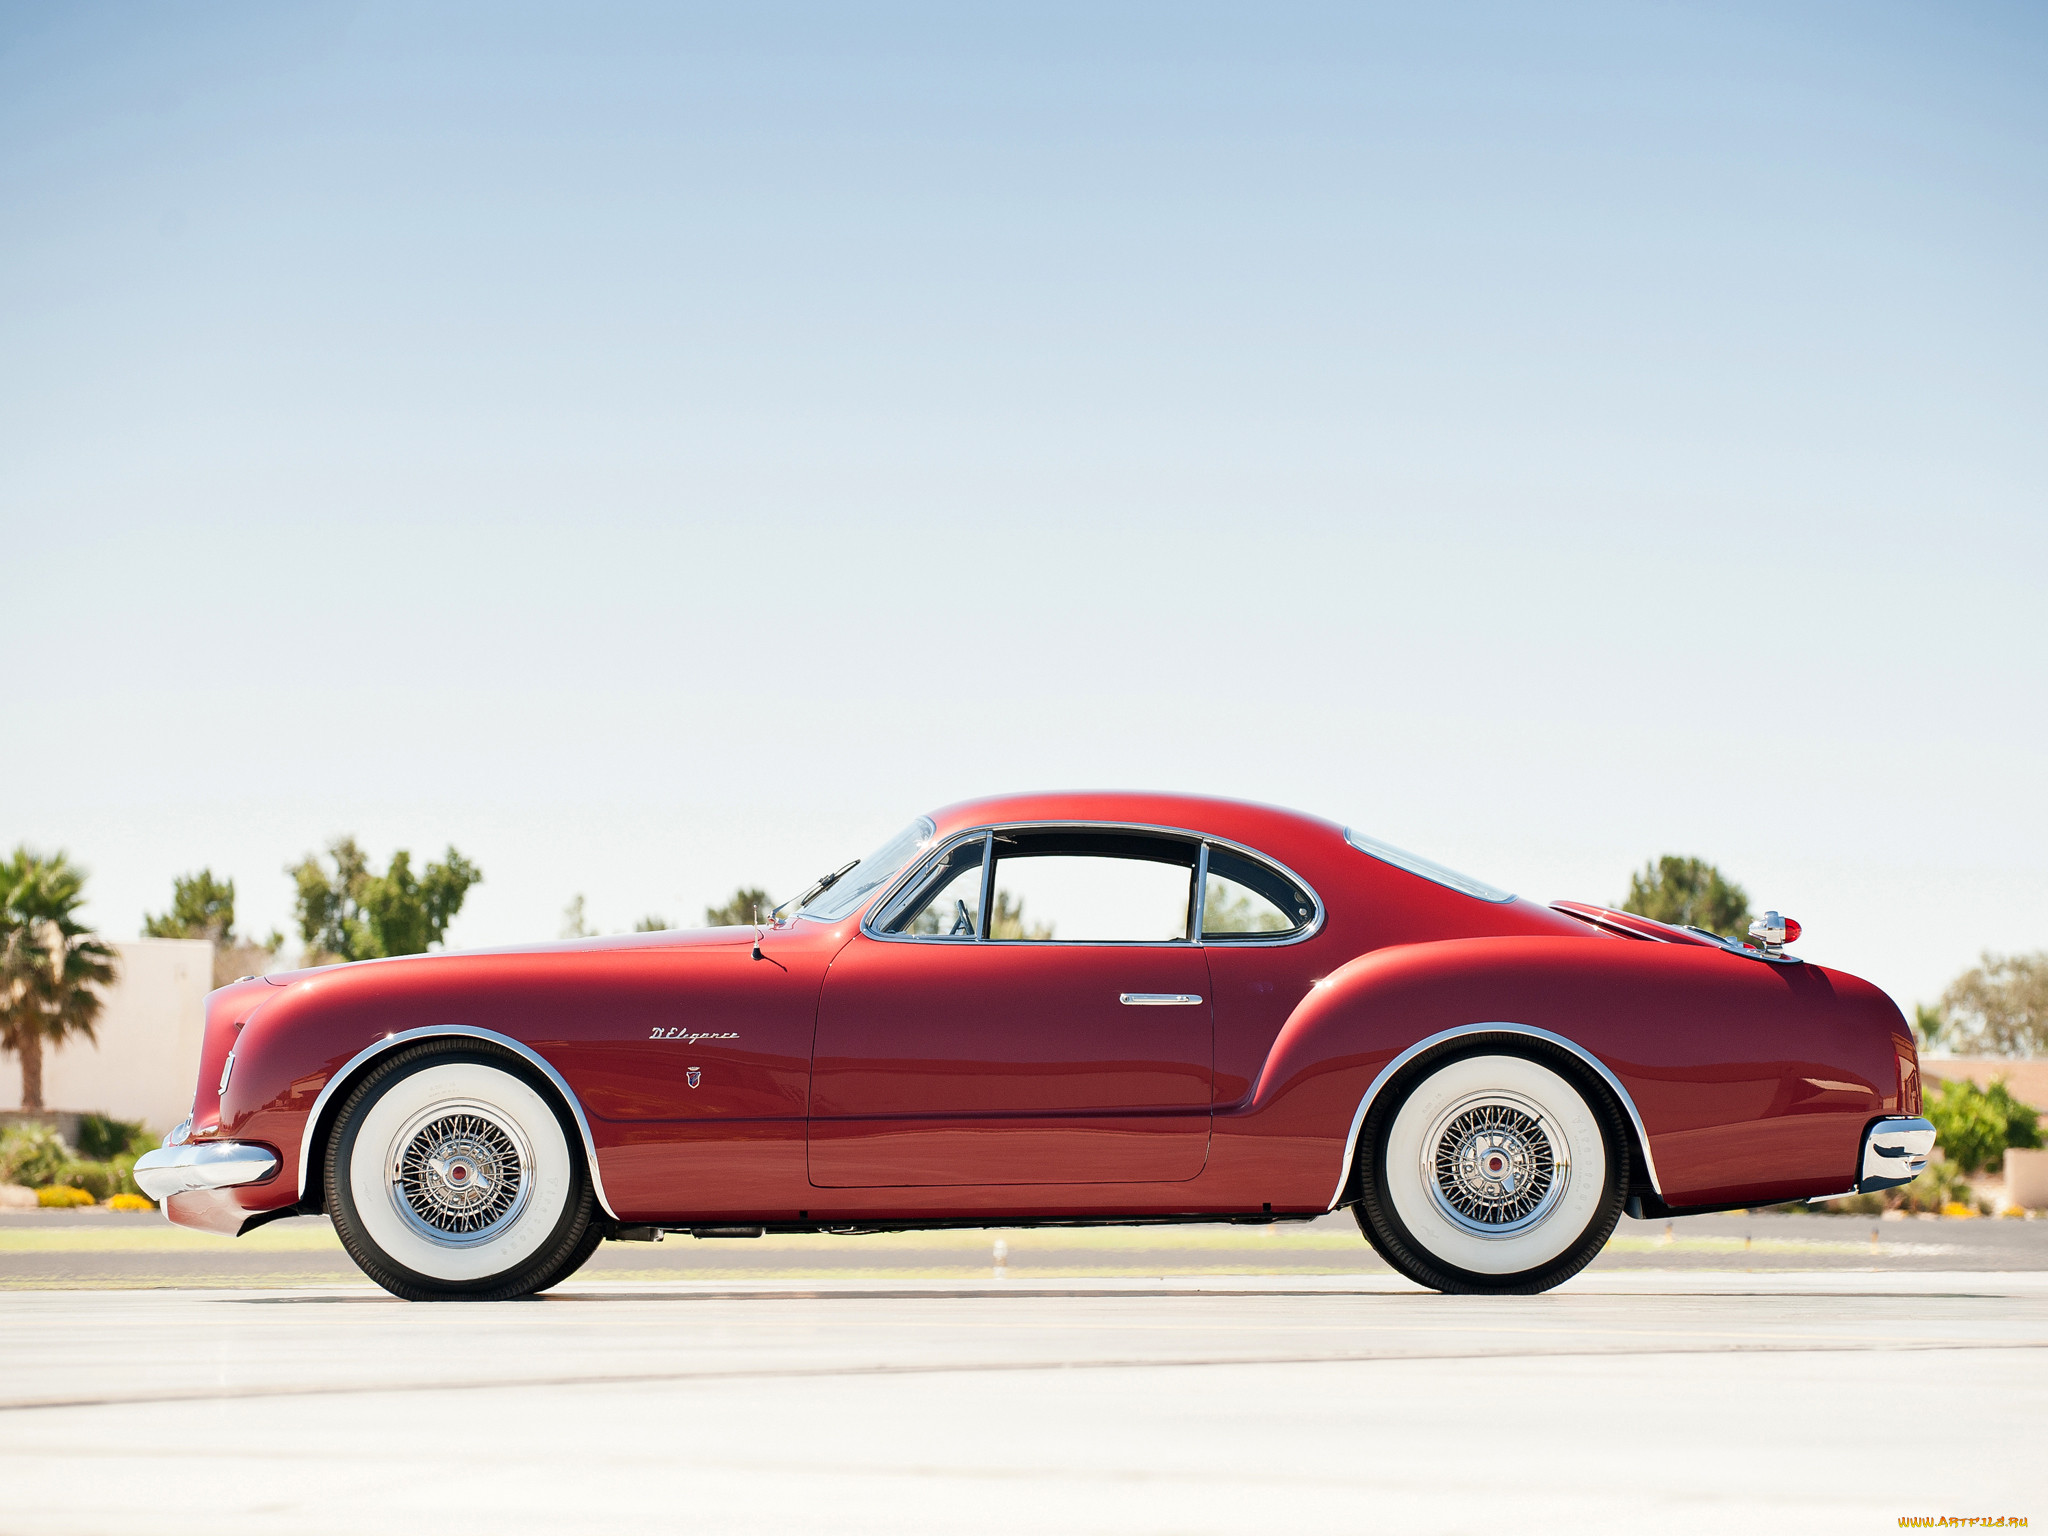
(146,1062)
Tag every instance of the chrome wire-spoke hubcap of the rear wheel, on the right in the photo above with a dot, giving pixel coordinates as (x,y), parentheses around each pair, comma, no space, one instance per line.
(1494,1164)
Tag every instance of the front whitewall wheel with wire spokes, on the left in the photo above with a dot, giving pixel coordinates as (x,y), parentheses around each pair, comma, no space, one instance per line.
(456,1175)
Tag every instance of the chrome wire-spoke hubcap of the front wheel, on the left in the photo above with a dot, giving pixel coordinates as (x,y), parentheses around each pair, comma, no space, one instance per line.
(460,1172)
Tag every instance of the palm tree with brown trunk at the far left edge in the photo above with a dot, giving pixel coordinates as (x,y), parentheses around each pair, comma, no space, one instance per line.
(52,968)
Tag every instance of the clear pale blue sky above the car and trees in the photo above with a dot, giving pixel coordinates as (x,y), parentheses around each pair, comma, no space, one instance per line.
(665,447)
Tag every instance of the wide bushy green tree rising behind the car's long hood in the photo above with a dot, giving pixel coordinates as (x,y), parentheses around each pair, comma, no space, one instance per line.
(355,914)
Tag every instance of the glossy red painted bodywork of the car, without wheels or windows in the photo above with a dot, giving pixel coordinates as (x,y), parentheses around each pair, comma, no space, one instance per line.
(847,1078)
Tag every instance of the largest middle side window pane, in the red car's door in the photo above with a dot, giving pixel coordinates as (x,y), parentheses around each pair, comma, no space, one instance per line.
(1103,888)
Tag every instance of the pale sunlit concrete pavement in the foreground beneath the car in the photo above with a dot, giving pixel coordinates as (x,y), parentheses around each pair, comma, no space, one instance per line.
(1304,1404)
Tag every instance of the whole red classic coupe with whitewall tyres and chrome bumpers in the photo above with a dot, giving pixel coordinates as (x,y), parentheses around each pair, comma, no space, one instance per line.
(1056,1011)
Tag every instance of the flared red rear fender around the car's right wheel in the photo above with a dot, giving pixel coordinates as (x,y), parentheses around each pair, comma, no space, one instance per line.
(1744,1080)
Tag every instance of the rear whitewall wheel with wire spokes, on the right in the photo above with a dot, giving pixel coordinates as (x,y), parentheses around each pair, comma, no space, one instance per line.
(1492,1175)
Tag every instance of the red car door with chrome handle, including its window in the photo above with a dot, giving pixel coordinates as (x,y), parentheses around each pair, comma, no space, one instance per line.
(1027,1011)
